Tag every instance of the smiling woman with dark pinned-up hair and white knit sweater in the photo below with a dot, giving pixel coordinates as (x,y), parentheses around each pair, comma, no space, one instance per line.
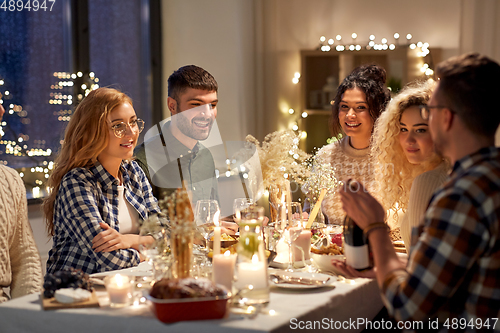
(360,99)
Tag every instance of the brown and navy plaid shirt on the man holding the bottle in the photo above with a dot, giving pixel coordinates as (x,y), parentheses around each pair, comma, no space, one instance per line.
(454,269)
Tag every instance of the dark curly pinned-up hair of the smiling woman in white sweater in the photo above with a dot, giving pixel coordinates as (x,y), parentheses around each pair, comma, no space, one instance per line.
(371,80)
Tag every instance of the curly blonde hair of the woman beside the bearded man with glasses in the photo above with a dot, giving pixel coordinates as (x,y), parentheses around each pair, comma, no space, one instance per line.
(394,173)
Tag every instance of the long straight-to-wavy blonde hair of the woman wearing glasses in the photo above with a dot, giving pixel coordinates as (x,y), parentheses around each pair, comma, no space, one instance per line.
(86,136)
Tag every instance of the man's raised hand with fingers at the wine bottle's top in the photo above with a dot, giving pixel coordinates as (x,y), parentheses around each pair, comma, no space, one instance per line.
(360,205)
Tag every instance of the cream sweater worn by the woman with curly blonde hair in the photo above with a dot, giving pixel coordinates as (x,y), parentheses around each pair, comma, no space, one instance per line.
(421,191)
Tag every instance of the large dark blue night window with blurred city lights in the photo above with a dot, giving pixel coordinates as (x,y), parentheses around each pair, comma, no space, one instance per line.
(50,59)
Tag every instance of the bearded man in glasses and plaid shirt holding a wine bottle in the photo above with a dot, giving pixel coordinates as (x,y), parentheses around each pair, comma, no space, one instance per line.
(452,274)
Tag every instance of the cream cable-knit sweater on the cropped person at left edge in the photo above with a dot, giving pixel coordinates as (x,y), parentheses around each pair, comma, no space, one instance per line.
(20,265)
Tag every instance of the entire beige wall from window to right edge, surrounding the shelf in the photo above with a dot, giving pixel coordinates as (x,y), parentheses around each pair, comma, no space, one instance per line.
(252,47)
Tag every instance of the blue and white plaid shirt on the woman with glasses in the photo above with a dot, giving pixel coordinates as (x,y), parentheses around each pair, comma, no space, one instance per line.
(86,197)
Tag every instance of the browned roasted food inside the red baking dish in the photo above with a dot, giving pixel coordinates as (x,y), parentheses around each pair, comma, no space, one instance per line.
(186,288)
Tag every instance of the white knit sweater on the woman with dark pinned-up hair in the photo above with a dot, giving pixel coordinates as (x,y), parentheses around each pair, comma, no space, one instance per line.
(347,162)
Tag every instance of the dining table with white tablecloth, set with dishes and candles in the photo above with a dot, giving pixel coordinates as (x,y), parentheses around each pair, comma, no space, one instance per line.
(342,303)
